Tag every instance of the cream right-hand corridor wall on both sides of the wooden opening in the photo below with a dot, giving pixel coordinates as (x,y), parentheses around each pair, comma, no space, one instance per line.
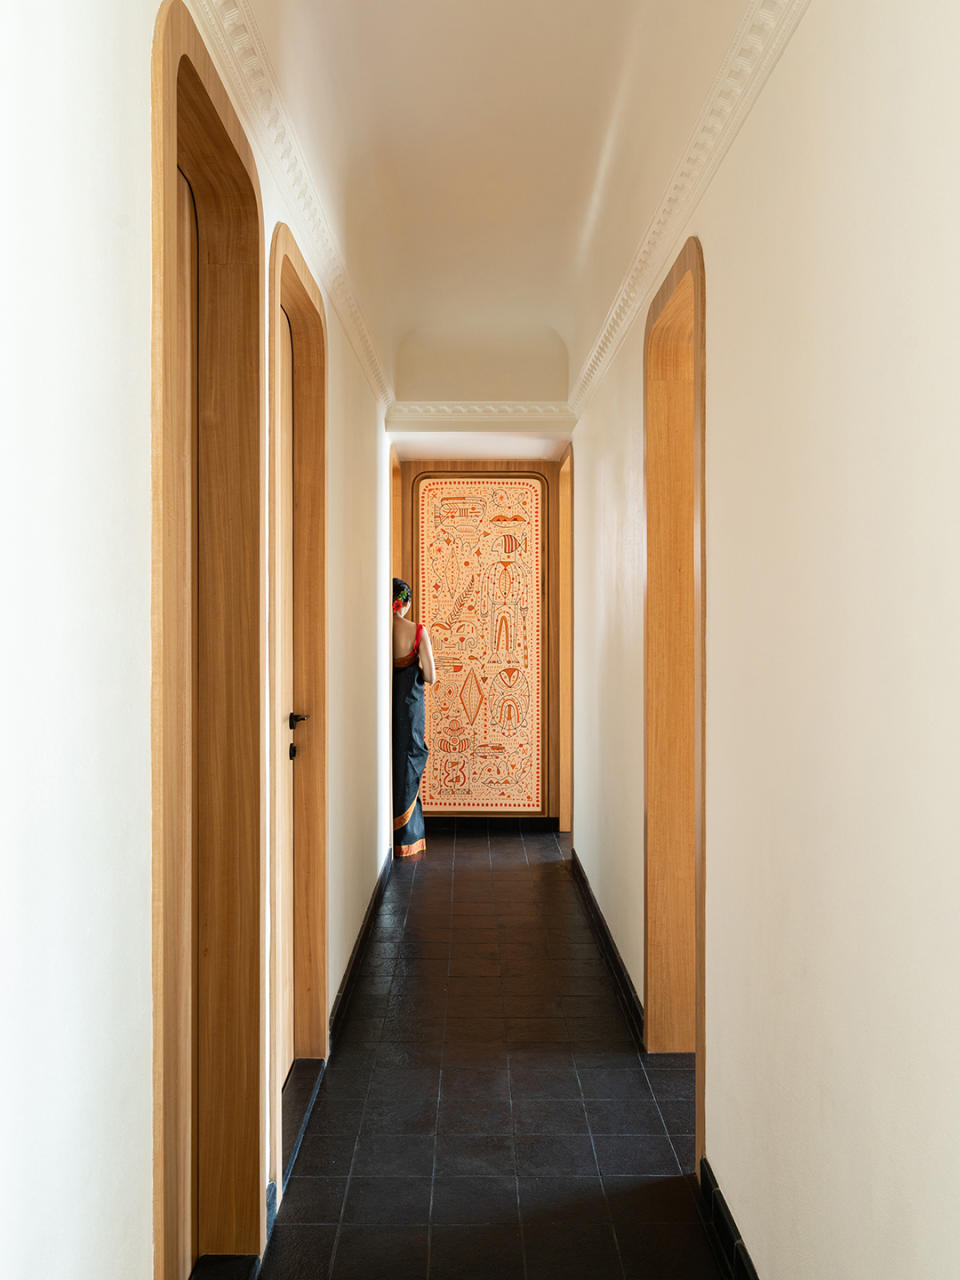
(834,629)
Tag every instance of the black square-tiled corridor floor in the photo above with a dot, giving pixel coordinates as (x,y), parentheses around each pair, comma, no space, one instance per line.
(486,1113)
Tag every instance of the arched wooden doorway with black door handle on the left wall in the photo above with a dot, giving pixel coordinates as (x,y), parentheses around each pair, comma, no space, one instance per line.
(298,670)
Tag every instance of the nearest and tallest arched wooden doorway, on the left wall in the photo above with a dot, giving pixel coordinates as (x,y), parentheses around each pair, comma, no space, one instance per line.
(208,604)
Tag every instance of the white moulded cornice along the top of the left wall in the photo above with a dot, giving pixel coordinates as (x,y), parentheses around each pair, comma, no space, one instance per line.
(239,51)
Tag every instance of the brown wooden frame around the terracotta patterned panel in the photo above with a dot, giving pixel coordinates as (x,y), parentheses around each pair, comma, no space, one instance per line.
(557,605)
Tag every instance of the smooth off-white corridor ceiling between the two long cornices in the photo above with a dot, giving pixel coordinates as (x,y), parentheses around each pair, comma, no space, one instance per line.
(491,166)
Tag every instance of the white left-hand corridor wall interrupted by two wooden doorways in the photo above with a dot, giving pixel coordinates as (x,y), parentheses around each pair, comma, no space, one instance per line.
(75,646)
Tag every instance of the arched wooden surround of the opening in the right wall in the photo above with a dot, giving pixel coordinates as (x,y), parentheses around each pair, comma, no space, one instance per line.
(674,662)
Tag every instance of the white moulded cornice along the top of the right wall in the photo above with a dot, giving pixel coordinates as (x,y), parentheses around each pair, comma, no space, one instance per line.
(753,54)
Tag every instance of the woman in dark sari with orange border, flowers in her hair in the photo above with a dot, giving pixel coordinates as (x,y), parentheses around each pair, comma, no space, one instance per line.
(413,666)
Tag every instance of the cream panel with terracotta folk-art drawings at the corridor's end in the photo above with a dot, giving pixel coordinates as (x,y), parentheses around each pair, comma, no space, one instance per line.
(481,579)
